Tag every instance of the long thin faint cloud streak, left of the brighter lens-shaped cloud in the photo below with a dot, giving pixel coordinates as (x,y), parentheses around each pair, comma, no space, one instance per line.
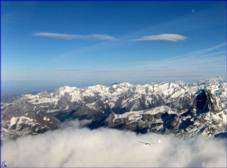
(64,36)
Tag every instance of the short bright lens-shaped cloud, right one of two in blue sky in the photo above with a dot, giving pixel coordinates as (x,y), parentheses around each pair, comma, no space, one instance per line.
(162,37)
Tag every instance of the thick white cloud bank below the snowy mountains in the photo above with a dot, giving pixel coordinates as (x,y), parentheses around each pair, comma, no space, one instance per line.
(76,147)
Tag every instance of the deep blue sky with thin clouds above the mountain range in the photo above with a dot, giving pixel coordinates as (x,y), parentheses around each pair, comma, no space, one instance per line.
(139,42)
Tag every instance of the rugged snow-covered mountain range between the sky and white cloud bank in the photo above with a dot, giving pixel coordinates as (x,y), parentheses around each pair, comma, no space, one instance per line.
(179,108)
